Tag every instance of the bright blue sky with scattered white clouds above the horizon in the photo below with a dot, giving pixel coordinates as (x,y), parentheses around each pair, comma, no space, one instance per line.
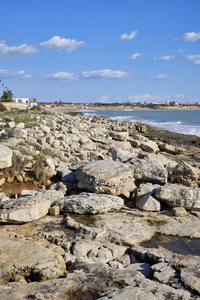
(101,50)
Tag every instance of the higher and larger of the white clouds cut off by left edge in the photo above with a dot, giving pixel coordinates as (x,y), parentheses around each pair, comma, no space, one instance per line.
(21,50)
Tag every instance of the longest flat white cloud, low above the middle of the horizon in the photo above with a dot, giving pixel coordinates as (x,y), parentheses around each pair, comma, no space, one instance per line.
(105,73)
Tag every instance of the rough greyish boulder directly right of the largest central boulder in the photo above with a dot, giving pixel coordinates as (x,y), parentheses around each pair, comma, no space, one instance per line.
(148,170)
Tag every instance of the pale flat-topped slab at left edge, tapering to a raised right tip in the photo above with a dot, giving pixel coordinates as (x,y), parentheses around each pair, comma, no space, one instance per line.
(28,209)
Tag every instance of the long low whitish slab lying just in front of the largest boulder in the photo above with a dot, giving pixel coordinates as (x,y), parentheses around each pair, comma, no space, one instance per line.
(90,203)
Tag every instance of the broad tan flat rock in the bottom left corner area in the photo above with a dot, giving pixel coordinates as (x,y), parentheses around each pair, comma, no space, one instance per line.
(24,258)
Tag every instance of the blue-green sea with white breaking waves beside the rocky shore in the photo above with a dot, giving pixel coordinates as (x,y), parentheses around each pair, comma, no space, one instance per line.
(179,121)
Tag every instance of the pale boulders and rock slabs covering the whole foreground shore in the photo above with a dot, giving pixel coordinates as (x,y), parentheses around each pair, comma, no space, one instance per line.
(119,217)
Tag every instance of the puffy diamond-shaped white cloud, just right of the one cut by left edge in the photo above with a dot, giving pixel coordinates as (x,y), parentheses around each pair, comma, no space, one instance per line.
(58,43)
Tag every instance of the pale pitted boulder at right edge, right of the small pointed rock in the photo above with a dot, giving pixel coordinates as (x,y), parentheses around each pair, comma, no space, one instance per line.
(177,195)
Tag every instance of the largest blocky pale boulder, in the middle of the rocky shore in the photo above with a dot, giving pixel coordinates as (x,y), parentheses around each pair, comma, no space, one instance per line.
(106,177)
